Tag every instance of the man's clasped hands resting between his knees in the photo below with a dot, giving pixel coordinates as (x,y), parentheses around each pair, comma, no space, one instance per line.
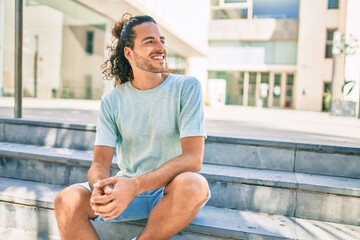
(111,196)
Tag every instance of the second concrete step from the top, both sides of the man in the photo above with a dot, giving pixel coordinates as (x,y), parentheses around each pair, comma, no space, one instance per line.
(318,197)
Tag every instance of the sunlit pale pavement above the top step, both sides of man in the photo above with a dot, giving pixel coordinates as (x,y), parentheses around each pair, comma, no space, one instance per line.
(227,121)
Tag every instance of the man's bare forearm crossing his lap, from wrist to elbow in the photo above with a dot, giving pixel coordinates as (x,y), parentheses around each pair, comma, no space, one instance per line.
(163,175)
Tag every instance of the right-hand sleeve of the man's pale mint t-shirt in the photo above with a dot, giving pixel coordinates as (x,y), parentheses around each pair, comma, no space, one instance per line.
(191,120)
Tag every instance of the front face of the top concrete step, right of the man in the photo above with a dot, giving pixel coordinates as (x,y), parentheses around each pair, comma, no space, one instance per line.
(314,158)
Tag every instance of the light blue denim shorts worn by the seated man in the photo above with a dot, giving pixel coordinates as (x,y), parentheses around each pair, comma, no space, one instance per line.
(139,208)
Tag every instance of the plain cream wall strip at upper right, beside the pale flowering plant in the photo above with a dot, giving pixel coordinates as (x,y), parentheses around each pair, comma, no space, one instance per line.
(311,63)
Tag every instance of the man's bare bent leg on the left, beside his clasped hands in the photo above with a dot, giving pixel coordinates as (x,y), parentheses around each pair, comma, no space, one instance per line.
(73,211)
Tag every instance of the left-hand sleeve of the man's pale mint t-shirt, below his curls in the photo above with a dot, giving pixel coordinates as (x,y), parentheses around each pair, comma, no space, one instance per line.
(106,129)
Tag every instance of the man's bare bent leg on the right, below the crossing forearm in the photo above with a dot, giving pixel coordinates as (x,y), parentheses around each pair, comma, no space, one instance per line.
(182,200)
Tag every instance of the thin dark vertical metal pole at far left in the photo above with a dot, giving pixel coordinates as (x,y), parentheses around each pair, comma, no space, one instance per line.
(18,57)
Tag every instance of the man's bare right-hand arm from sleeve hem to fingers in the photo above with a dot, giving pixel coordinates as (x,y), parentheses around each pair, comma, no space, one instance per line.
(126,189)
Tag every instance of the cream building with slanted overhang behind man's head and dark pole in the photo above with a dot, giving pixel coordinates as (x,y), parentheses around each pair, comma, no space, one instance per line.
(64,44)
